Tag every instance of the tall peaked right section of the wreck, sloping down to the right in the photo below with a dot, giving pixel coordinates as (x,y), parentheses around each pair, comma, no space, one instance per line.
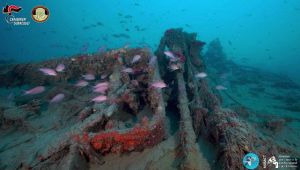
(232,136)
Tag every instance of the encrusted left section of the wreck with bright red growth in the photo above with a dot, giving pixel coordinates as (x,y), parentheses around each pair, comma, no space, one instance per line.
(93,129)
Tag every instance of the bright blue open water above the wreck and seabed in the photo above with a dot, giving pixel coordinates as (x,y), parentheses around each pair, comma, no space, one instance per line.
(258,33)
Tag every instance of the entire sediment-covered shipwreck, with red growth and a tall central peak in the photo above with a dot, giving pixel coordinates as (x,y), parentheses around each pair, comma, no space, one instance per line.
(129,125)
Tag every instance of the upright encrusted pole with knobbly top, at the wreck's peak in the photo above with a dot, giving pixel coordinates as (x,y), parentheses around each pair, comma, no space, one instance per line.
(177,42)
